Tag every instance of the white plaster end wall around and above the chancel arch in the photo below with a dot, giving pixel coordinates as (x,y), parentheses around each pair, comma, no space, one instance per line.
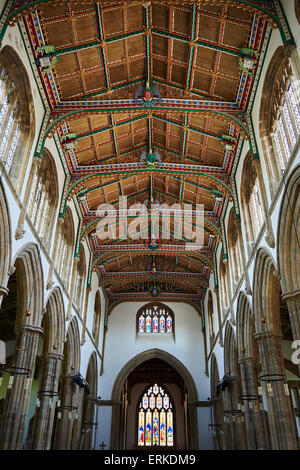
(122,344)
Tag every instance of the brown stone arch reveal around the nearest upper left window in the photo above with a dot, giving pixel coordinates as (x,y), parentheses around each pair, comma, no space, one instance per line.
(18,84)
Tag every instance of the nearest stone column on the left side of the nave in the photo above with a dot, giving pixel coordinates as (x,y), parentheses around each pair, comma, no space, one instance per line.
(14,415)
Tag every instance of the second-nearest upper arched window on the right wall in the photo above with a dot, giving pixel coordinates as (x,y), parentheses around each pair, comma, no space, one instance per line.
(251,199)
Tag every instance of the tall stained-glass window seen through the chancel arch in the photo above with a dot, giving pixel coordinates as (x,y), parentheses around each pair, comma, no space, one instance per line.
(155,418)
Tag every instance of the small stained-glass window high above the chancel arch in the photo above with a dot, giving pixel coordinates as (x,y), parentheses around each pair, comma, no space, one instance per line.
(155,318)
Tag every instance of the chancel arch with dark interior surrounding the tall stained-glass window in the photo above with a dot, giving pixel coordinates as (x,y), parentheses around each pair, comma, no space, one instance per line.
(155,362)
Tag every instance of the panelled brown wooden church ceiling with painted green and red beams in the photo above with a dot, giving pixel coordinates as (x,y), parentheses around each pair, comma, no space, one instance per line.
(189,53)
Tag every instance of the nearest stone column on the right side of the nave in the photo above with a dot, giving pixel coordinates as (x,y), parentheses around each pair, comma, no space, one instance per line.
(283,430)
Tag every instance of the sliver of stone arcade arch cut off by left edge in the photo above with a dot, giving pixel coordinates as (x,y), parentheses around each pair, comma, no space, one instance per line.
(5,243)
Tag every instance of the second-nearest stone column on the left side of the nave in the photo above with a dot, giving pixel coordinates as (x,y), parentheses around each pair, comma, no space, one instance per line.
(44,417)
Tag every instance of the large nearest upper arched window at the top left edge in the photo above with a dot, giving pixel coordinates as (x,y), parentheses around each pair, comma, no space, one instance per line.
(16,119)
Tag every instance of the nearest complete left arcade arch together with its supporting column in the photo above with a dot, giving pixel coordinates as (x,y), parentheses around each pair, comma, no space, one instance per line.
(29,290)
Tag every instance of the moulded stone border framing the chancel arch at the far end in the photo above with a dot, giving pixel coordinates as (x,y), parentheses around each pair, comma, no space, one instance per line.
(182,371)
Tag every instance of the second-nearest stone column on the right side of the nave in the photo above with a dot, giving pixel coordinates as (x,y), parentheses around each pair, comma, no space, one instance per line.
(256,426)
